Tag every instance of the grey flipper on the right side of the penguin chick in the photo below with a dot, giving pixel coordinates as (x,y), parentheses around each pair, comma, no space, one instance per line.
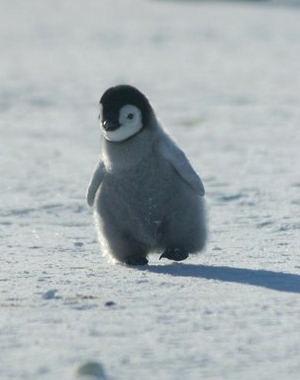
(175,156)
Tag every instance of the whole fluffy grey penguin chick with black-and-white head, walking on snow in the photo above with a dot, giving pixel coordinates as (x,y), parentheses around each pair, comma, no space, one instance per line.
(146,194)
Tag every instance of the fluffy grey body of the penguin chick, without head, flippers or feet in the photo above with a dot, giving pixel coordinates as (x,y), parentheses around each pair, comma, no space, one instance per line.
(142,204)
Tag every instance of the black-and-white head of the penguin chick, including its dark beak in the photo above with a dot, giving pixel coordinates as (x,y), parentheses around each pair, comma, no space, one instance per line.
(124,111)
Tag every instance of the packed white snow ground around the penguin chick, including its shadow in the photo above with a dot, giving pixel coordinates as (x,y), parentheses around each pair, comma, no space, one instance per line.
(224,79)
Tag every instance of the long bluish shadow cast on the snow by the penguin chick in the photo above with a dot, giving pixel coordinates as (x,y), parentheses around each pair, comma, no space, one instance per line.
(284,282)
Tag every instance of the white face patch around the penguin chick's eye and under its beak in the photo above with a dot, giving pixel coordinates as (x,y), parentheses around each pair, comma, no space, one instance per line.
(130,119)
